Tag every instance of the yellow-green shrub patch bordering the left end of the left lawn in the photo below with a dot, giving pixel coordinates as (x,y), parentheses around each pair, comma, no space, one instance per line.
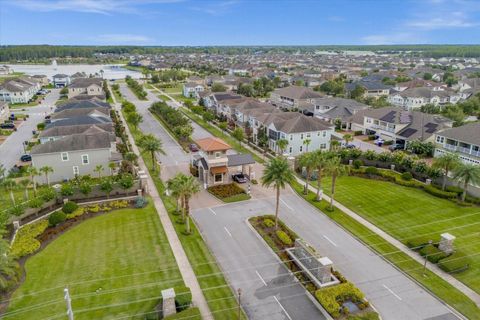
(25,242)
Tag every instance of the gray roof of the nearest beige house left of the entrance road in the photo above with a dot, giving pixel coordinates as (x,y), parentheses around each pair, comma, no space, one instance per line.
(74,143)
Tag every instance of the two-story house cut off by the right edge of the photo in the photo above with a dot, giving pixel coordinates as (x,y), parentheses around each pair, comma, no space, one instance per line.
(464,140)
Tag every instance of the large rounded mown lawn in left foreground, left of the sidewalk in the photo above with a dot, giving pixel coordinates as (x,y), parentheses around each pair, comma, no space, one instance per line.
(128,246)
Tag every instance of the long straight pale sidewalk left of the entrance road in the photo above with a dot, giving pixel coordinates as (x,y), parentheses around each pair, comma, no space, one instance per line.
(182,261)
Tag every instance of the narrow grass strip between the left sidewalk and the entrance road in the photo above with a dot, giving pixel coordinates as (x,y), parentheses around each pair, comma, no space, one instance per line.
(217,292)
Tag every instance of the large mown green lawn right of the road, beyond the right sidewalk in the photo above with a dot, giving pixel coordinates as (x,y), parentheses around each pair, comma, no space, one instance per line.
(408,212)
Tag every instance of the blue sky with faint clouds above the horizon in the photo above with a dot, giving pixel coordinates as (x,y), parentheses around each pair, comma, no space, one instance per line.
(238,22)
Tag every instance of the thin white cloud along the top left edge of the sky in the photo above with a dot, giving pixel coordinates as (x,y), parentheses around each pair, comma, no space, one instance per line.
(105,7)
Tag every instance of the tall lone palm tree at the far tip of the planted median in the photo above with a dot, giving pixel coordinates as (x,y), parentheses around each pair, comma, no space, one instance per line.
(277,173)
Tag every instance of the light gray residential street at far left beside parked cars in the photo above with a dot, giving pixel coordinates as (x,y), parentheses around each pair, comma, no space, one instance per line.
(12,148)
